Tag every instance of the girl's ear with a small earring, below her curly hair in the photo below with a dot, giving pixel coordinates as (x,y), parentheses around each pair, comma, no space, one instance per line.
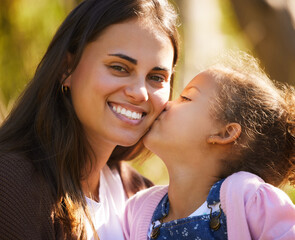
(228,135)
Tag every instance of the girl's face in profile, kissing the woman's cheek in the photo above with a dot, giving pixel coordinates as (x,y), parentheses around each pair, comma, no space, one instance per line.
(186,123)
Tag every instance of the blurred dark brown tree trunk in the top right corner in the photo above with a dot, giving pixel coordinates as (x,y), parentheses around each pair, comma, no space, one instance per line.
(269,25)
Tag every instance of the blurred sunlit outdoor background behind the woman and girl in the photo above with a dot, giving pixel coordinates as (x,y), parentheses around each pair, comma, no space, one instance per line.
(264,28)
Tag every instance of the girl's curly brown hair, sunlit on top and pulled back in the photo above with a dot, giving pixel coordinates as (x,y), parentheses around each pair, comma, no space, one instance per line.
(266,112)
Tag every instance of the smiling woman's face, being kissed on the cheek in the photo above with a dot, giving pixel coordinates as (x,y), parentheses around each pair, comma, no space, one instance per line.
(122,83)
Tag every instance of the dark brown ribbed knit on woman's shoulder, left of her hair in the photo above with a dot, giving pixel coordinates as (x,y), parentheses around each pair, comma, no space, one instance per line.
(25,200)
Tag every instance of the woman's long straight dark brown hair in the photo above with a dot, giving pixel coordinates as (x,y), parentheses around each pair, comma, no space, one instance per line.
(43,126)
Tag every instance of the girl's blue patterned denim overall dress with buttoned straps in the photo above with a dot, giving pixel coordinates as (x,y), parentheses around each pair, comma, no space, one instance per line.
(204,227)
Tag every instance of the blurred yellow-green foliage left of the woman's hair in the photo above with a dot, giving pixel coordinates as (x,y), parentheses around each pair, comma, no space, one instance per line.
(26,27)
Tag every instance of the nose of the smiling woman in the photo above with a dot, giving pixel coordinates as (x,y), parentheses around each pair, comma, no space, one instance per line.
(137,91)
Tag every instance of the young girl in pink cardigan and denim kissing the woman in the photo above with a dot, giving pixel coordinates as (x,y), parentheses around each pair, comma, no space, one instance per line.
(228,142)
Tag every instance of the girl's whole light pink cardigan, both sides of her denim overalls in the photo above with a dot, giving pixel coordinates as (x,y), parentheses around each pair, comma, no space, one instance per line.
(253,209)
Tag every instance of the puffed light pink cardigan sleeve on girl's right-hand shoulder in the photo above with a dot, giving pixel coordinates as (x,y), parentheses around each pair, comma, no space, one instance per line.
(256,210)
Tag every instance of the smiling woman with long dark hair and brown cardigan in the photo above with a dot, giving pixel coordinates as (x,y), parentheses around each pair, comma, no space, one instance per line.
(103,80)
